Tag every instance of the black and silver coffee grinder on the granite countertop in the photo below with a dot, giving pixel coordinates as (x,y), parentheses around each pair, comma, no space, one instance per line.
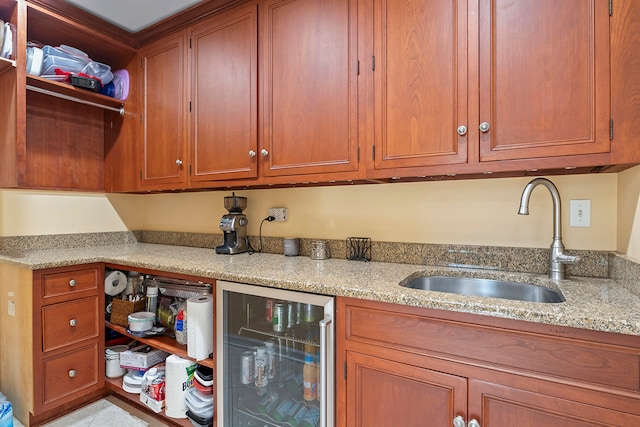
(234,226)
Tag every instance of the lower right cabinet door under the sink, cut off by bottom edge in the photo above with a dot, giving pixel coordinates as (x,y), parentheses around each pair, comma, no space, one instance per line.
(497,405)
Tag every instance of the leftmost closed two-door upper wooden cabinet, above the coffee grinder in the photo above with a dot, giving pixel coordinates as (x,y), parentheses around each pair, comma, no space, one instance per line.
(199,89)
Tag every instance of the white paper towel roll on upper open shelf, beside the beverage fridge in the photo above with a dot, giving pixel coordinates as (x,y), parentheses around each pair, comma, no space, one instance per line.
(200,327)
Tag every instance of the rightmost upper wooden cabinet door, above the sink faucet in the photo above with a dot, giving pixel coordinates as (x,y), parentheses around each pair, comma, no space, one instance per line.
(544,78)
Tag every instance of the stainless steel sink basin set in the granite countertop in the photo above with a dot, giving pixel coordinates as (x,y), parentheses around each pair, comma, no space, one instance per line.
(485,288)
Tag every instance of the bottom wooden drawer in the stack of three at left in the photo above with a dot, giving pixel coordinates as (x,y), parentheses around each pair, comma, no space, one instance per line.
(70,372)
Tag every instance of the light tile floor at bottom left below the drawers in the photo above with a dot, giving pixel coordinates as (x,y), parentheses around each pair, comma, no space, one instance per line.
(107,412)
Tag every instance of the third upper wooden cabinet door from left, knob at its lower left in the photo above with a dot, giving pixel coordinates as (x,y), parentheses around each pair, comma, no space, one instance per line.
(309,87)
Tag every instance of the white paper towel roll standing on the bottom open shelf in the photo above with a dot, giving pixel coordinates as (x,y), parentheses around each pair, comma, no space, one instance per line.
(178,379)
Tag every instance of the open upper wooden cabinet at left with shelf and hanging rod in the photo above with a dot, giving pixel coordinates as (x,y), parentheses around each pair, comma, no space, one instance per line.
(52,135)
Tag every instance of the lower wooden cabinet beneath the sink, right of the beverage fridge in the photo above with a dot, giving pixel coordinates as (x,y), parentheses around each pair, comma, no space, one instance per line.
(407,366)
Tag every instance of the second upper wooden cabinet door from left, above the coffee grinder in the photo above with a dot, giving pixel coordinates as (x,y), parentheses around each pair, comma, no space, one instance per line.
(224,96)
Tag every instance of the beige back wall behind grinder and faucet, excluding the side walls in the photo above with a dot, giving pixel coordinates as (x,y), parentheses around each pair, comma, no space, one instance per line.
(475,212)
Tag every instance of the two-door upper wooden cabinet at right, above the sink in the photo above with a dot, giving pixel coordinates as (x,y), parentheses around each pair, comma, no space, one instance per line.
(466,87)
